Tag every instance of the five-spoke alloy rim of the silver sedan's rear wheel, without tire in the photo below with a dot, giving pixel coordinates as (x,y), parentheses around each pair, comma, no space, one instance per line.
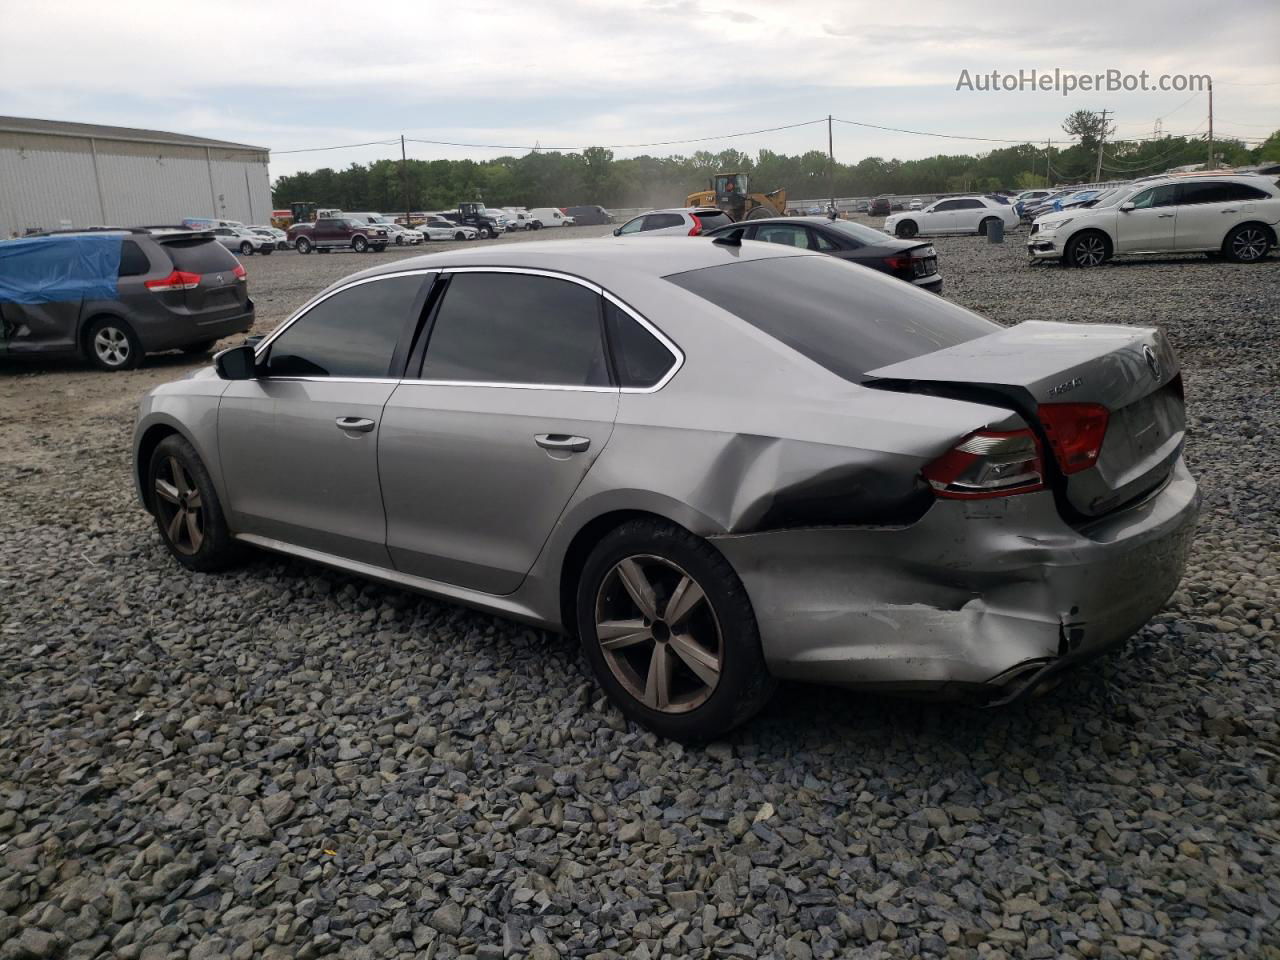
(660,634)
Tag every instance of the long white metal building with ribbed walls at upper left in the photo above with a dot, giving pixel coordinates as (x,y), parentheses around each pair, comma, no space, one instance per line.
(80,175)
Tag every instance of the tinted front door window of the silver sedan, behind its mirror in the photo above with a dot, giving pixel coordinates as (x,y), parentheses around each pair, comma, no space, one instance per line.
(353,333)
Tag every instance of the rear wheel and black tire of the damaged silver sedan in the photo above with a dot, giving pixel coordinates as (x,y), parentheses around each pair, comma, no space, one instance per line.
(670,632)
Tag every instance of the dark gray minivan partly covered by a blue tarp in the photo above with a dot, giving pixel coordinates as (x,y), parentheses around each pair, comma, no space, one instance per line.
(116,295)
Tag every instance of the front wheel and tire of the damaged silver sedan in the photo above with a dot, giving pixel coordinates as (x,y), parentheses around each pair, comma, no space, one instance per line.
(186,509)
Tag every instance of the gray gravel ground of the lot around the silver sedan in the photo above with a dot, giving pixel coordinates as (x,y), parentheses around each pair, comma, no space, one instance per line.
(285,762)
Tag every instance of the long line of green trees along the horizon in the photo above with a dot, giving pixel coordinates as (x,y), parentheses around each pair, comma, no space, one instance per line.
(548,179)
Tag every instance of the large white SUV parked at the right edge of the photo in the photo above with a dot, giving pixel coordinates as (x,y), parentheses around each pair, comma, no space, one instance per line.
(1233,216)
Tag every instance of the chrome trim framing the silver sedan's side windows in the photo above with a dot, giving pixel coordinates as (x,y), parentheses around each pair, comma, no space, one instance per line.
(676,353)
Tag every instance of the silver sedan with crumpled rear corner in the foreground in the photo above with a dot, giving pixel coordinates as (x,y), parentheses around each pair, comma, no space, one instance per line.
(717,464)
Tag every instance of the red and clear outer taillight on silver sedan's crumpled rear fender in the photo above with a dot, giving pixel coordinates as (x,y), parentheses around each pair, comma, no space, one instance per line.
(989,464)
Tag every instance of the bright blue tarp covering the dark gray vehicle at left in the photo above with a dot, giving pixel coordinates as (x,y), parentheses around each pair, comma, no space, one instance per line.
(56,269)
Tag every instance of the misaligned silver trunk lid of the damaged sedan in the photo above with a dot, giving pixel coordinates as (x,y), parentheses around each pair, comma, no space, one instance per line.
(1130,371)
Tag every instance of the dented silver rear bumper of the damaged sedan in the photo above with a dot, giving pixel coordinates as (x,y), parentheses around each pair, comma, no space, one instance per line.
(981,598)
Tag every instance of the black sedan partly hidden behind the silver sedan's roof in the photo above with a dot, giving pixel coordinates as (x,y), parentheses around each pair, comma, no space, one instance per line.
(906,259)
